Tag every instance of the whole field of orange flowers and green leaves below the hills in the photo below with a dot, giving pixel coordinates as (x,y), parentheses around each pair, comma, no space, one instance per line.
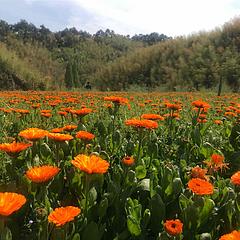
(119,166)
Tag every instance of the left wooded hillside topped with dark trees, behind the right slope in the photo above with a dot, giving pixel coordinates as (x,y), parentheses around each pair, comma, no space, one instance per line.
(43,59)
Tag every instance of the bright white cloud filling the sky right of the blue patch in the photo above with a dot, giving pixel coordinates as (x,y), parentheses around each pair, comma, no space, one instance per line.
(171,17)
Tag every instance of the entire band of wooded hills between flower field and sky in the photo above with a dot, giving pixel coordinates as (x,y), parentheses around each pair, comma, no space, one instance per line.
(37,58)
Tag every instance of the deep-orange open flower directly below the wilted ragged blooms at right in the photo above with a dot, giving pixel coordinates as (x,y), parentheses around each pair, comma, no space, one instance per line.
(200,186)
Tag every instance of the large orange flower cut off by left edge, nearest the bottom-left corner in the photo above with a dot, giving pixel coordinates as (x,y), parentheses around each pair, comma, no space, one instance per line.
(10,202)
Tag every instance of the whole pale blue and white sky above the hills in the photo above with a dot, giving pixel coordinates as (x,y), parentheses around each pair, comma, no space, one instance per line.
(127,17)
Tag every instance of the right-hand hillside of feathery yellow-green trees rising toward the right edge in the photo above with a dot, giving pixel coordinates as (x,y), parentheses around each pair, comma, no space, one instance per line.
(199,61)
